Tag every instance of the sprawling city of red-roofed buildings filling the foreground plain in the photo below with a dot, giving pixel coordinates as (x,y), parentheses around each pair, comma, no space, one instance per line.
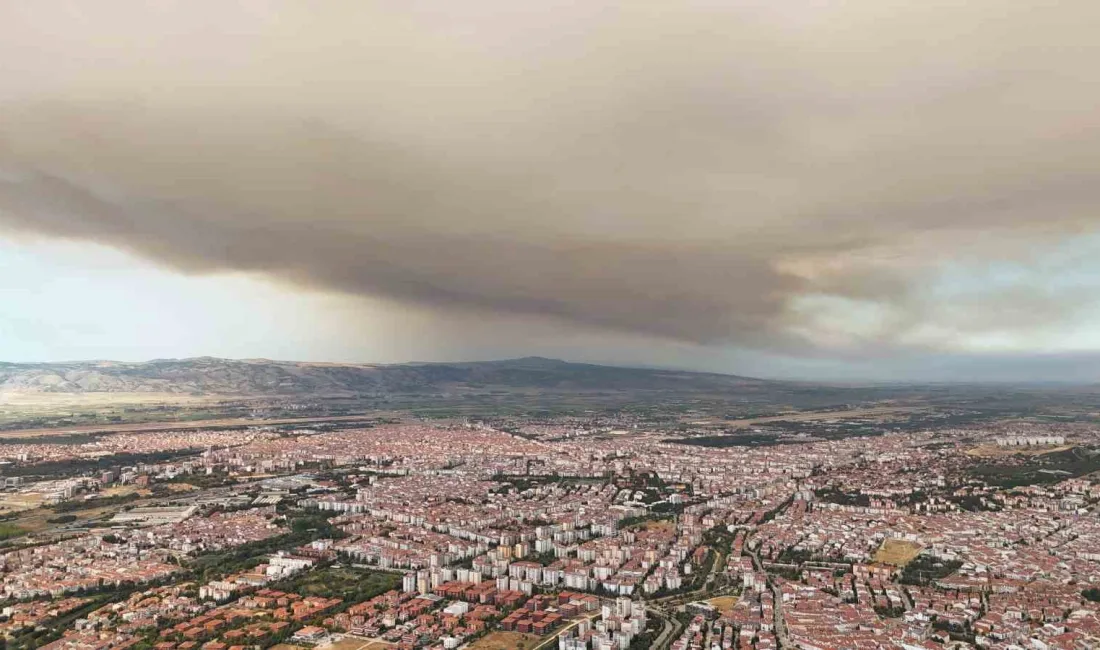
(574,533)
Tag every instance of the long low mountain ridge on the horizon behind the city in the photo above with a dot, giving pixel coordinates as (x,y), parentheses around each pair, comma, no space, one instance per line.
(263,378)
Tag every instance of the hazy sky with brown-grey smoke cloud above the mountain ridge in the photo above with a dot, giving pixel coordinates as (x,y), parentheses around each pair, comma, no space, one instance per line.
(871,190)
